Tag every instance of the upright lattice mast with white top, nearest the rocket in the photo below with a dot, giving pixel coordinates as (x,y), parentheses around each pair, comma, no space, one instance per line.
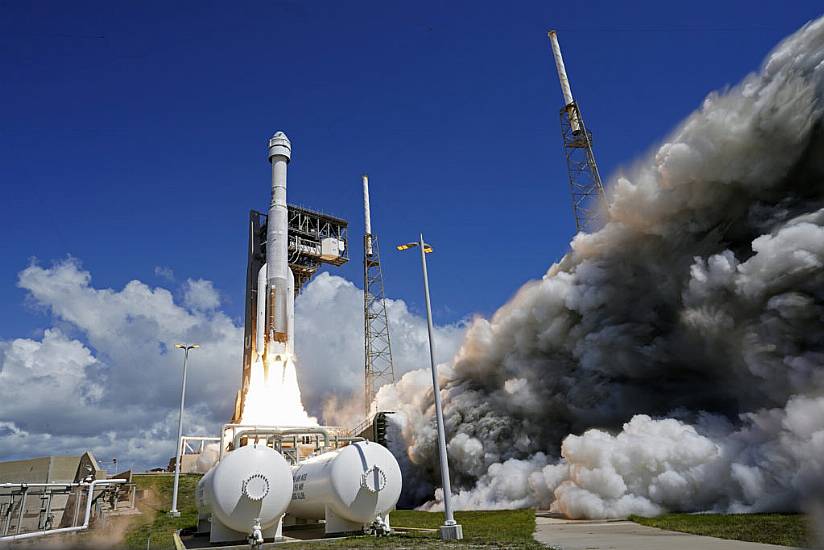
(379,369)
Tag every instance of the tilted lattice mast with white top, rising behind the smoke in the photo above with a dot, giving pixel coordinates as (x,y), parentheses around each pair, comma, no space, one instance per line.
(588,197)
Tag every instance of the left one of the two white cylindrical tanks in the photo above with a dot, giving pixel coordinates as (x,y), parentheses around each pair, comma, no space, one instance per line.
(251,483)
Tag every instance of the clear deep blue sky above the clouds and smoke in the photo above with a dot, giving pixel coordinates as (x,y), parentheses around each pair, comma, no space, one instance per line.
(133,135)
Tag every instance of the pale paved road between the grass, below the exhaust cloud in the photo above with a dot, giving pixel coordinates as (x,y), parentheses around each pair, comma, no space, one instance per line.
(627,535)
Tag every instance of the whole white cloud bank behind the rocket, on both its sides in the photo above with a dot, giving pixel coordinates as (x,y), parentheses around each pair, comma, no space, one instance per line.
(105,376)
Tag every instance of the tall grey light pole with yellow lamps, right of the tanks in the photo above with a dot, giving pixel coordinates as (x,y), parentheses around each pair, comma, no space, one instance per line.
(450,530)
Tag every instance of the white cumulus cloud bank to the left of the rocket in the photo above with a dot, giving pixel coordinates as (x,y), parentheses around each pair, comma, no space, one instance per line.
(106,376)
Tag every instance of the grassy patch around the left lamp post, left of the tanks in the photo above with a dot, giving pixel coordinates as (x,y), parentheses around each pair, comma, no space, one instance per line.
(155,521)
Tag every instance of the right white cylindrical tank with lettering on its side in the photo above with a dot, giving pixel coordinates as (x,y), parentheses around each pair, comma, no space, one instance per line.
(349,488)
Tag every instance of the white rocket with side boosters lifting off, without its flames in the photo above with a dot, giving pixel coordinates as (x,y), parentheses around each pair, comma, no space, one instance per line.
(276,282)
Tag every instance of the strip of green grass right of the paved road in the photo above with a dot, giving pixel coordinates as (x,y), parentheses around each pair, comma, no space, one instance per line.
(783,529)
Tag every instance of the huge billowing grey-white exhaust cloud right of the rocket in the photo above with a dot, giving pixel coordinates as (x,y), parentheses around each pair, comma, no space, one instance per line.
(684,341)
